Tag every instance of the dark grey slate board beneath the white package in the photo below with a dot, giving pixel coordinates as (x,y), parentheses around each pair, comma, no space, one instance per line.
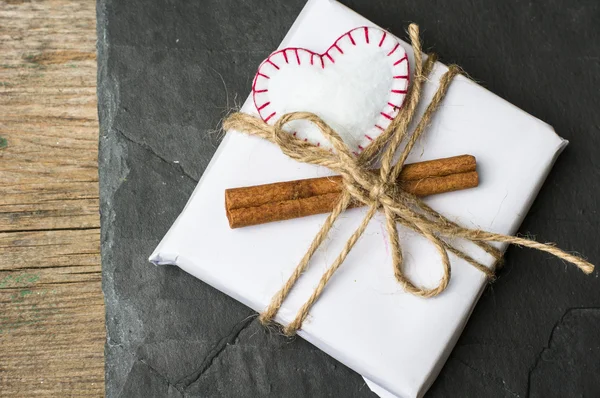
(168,71)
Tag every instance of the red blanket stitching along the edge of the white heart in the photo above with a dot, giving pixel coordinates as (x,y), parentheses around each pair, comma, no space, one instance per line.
(395,101)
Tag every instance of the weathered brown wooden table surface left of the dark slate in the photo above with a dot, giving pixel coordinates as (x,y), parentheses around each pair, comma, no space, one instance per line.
(51,306)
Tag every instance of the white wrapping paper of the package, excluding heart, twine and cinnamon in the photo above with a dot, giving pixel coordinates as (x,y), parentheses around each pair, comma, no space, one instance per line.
(364,319)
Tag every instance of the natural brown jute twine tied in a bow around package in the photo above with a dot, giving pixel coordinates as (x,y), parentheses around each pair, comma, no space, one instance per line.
(379,192)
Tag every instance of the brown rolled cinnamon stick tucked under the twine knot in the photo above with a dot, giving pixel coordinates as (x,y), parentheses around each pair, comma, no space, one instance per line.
(292,199)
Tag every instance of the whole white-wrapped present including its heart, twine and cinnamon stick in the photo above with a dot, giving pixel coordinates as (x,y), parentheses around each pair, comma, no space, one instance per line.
(355,78)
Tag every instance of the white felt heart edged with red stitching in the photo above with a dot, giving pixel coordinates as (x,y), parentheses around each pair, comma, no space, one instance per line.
(357,86)
